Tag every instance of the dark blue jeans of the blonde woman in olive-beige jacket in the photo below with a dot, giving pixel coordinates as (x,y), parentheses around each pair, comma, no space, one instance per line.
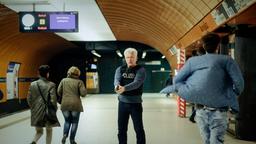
(71,121)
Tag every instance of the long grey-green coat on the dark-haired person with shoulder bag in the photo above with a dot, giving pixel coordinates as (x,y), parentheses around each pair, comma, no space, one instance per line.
(36,103)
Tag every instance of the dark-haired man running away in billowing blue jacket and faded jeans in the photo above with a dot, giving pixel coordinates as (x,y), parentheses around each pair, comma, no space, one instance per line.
(213,82)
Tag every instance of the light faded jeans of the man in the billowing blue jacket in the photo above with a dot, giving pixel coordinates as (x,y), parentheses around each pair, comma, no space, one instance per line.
(212,125)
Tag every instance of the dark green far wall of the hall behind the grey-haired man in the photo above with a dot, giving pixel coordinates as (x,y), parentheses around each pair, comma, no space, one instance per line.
(109,61)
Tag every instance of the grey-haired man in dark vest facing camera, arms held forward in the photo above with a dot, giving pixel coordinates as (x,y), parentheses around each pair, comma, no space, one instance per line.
(128,84)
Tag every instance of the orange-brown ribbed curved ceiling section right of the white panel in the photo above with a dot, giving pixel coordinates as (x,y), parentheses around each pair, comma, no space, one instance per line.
(158,23)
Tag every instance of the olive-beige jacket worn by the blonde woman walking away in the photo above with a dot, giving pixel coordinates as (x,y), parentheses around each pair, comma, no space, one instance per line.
(71,89)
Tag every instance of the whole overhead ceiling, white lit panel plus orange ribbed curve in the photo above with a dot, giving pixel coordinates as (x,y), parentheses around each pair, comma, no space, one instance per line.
(157,23)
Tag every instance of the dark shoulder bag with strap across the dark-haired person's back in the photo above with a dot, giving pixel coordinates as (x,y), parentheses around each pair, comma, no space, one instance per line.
(50,110)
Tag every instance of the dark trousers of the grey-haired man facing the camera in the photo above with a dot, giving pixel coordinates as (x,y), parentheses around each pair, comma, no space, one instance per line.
(124,112)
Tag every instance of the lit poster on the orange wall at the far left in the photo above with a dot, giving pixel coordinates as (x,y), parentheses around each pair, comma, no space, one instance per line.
(12,80)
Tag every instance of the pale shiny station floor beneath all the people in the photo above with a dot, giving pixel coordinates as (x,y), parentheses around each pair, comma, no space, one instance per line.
(98,124)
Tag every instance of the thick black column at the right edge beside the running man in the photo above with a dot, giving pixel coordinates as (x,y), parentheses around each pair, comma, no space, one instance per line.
(245,55)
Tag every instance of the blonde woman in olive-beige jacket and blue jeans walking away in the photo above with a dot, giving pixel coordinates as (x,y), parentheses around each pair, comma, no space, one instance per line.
(70,89)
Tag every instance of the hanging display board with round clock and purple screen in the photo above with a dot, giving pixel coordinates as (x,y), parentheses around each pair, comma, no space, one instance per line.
(48,21)
